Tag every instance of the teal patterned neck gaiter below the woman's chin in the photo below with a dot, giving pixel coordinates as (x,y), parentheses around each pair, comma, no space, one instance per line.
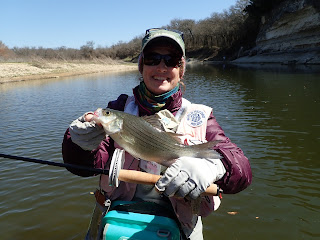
(152,102)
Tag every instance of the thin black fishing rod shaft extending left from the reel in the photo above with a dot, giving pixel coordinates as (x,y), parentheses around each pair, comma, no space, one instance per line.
(56,164)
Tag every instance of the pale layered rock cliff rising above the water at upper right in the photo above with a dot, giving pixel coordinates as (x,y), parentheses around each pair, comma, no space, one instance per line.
(289,35)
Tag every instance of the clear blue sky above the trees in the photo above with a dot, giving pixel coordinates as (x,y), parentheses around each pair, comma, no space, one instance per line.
(71,23)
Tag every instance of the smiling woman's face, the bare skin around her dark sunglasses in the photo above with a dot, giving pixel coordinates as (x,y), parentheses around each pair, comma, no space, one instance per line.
(160,79)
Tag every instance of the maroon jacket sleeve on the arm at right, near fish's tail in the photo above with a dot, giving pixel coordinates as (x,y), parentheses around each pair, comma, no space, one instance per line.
(238,171)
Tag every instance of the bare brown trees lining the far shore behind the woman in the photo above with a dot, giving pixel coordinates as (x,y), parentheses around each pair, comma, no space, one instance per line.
(221,34)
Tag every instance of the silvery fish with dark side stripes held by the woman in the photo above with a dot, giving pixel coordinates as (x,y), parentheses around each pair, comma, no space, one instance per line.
(143,141)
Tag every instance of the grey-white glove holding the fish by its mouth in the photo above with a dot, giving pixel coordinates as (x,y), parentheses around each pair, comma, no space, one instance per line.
(87,135)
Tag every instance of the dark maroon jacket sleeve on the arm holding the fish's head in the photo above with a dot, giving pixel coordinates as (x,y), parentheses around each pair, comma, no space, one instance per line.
(97,158)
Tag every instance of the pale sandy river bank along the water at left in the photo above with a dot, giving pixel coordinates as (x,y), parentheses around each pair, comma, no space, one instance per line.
(24,71)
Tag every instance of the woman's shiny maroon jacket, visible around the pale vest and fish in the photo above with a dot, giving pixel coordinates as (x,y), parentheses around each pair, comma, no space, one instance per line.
(238,172)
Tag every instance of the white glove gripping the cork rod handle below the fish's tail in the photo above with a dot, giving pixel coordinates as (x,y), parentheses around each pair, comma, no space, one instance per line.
(190,176)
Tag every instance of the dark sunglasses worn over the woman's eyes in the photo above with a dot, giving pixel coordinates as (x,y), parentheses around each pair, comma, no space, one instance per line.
(154,59)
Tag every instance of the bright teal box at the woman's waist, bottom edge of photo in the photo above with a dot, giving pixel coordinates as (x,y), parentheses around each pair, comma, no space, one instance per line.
(119,225)
